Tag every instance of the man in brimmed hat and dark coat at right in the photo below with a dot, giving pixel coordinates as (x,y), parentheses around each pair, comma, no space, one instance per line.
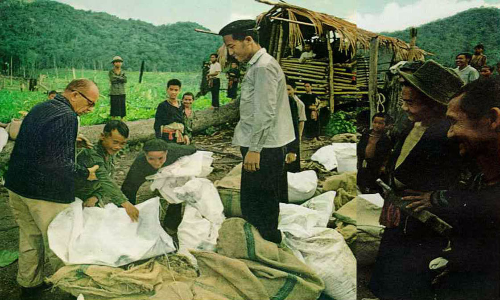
(424,160)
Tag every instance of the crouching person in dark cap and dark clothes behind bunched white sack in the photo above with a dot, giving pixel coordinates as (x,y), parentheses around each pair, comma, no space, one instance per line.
(157,154)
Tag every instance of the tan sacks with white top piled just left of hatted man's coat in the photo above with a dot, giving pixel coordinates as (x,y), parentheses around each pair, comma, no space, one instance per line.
(365,210)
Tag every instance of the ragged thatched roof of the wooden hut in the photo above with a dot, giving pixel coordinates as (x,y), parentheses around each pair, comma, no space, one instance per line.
(351,37)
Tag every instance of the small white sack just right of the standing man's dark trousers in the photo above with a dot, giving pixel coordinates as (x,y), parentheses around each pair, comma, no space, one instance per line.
(301,186)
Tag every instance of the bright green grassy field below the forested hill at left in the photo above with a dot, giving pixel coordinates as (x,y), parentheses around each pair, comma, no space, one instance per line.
(142,98)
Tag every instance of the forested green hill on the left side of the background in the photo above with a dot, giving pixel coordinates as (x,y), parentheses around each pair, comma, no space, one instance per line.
(39,33)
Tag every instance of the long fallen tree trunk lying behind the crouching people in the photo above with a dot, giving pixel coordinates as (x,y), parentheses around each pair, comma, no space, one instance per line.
(142,130)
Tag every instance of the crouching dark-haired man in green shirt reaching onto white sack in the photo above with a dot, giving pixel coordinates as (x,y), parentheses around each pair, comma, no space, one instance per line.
(105,189)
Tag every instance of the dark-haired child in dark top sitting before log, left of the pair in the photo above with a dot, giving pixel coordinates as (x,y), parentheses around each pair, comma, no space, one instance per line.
(169,118)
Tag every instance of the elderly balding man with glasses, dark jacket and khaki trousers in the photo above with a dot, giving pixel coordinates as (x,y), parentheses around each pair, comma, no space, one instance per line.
(42,172)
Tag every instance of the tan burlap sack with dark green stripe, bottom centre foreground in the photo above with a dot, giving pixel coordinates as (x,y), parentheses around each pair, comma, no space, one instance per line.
(249,267)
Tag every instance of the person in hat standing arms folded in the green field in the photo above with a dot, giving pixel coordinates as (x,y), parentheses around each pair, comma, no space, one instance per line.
(117,80)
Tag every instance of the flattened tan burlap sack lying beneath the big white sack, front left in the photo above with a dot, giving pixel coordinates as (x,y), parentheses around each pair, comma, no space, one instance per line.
(138,282)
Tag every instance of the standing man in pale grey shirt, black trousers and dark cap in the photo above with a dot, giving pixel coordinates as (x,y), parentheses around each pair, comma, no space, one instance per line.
(265,127)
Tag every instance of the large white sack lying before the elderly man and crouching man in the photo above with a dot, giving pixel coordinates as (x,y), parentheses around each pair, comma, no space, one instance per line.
(107,236)
